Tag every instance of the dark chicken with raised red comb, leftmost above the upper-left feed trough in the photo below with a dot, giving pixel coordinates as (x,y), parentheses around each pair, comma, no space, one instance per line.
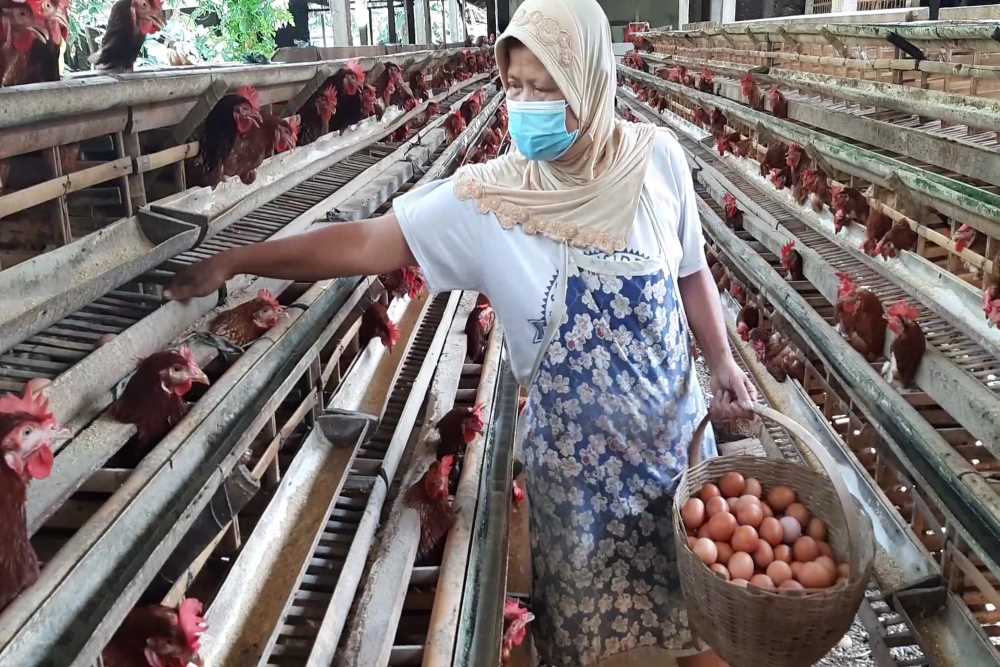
(232,119)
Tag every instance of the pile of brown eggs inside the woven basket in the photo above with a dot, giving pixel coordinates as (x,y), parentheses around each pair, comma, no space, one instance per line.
(750,538)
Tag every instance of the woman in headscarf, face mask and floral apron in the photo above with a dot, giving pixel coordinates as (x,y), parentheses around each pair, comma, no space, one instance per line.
(588,243)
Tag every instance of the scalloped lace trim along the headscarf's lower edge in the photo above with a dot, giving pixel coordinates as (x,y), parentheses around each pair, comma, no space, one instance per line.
(510,215)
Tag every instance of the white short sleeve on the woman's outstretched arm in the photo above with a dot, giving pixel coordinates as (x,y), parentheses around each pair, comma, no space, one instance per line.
(443,234)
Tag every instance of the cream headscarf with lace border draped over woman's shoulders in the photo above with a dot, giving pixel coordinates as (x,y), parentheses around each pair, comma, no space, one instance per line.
(588,197)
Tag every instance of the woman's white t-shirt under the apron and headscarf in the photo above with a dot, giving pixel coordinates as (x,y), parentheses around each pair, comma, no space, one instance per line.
(459,248)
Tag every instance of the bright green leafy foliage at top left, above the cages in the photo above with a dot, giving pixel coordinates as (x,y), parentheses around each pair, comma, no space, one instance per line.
(245,27)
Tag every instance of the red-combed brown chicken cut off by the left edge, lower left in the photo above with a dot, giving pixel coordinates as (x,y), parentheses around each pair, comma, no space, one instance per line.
(27,430)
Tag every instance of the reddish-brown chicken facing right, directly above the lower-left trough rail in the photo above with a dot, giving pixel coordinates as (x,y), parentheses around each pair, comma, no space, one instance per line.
(153,399)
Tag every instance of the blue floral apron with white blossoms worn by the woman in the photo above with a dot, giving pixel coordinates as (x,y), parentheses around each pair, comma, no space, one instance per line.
(612,407)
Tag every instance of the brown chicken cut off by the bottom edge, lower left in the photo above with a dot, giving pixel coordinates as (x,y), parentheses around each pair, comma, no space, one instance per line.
(158,636)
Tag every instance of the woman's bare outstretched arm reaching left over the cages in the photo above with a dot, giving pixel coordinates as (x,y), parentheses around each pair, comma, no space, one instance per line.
(343,249)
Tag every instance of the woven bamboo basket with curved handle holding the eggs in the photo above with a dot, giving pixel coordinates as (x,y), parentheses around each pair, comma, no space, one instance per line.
(752,627)
